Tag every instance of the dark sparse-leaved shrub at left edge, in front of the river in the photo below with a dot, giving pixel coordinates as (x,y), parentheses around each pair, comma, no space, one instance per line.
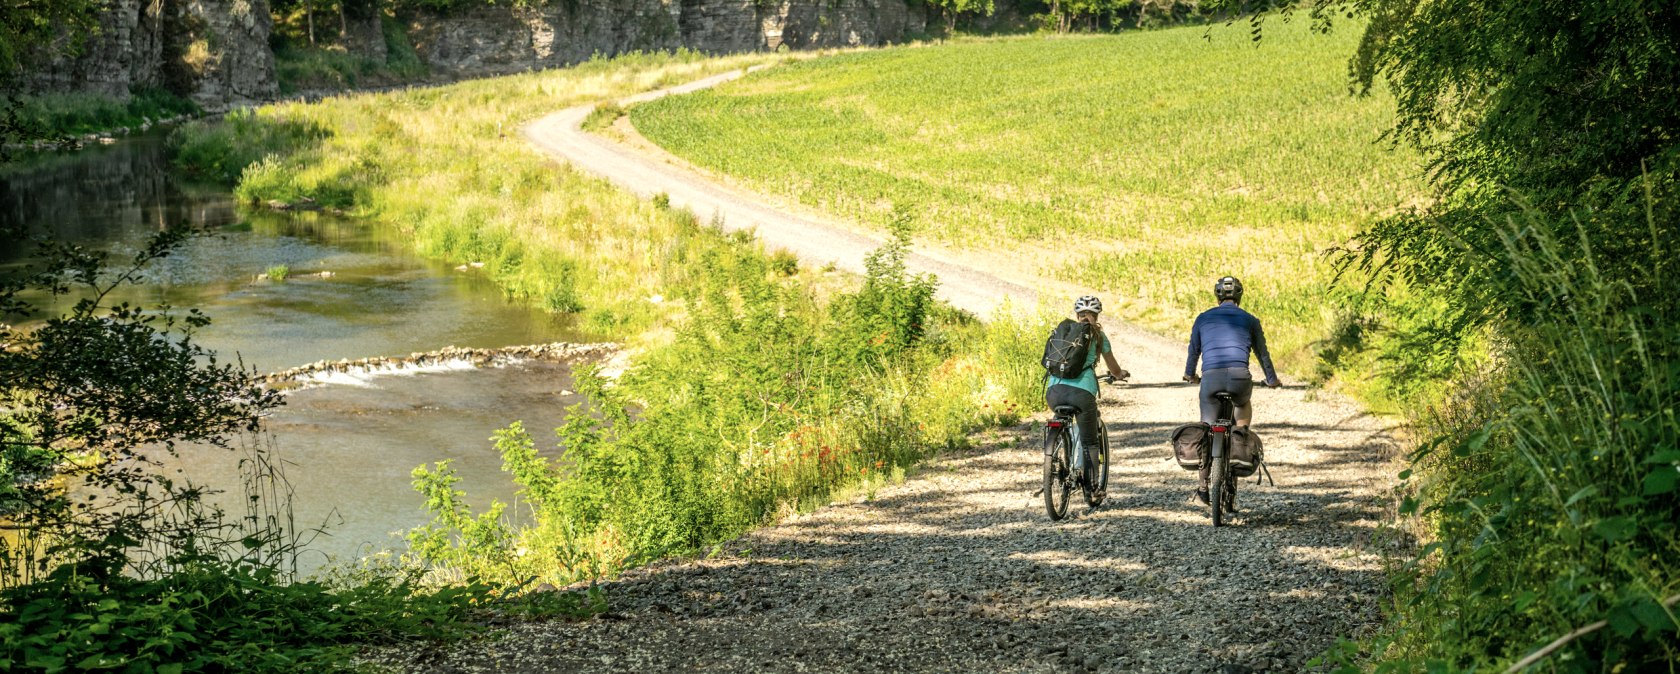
(92,401)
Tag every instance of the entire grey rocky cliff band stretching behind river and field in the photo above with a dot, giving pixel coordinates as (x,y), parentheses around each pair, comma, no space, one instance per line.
(218,51)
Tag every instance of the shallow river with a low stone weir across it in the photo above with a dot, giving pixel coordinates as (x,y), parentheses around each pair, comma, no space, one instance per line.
(349,446)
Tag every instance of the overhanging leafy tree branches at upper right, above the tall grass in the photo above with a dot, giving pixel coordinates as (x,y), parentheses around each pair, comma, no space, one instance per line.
(1568,107)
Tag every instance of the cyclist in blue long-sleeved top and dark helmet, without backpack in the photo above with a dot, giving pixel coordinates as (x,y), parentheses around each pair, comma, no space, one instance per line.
(1222,339)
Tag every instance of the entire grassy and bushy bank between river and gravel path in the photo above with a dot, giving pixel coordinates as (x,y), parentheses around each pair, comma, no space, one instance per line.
(764,384)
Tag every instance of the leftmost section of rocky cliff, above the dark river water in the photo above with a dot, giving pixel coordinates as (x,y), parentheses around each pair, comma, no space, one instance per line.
(211,51)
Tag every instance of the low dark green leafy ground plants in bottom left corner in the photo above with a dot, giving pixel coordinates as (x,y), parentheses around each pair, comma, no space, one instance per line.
(209,616)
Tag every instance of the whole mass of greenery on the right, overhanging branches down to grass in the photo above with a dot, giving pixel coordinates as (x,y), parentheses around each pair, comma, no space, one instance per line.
(1546,482)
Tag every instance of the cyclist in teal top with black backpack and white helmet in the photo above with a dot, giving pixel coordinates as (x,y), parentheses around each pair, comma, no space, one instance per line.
(1071,364)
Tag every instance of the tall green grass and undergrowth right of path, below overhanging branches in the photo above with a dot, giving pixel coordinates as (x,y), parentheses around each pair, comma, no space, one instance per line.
(1548,495)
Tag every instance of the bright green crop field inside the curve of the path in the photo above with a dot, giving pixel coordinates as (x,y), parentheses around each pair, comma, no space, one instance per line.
(1138,166)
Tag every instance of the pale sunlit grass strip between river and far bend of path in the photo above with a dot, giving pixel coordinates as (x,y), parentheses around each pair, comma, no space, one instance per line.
(451,169)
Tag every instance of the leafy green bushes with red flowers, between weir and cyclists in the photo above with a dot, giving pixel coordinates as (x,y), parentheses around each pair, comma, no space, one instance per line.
(767,403)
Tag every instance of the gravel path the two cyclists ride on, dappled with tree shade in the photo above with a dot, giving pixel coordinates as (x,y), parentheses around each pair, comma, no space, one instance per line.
(958,569)
